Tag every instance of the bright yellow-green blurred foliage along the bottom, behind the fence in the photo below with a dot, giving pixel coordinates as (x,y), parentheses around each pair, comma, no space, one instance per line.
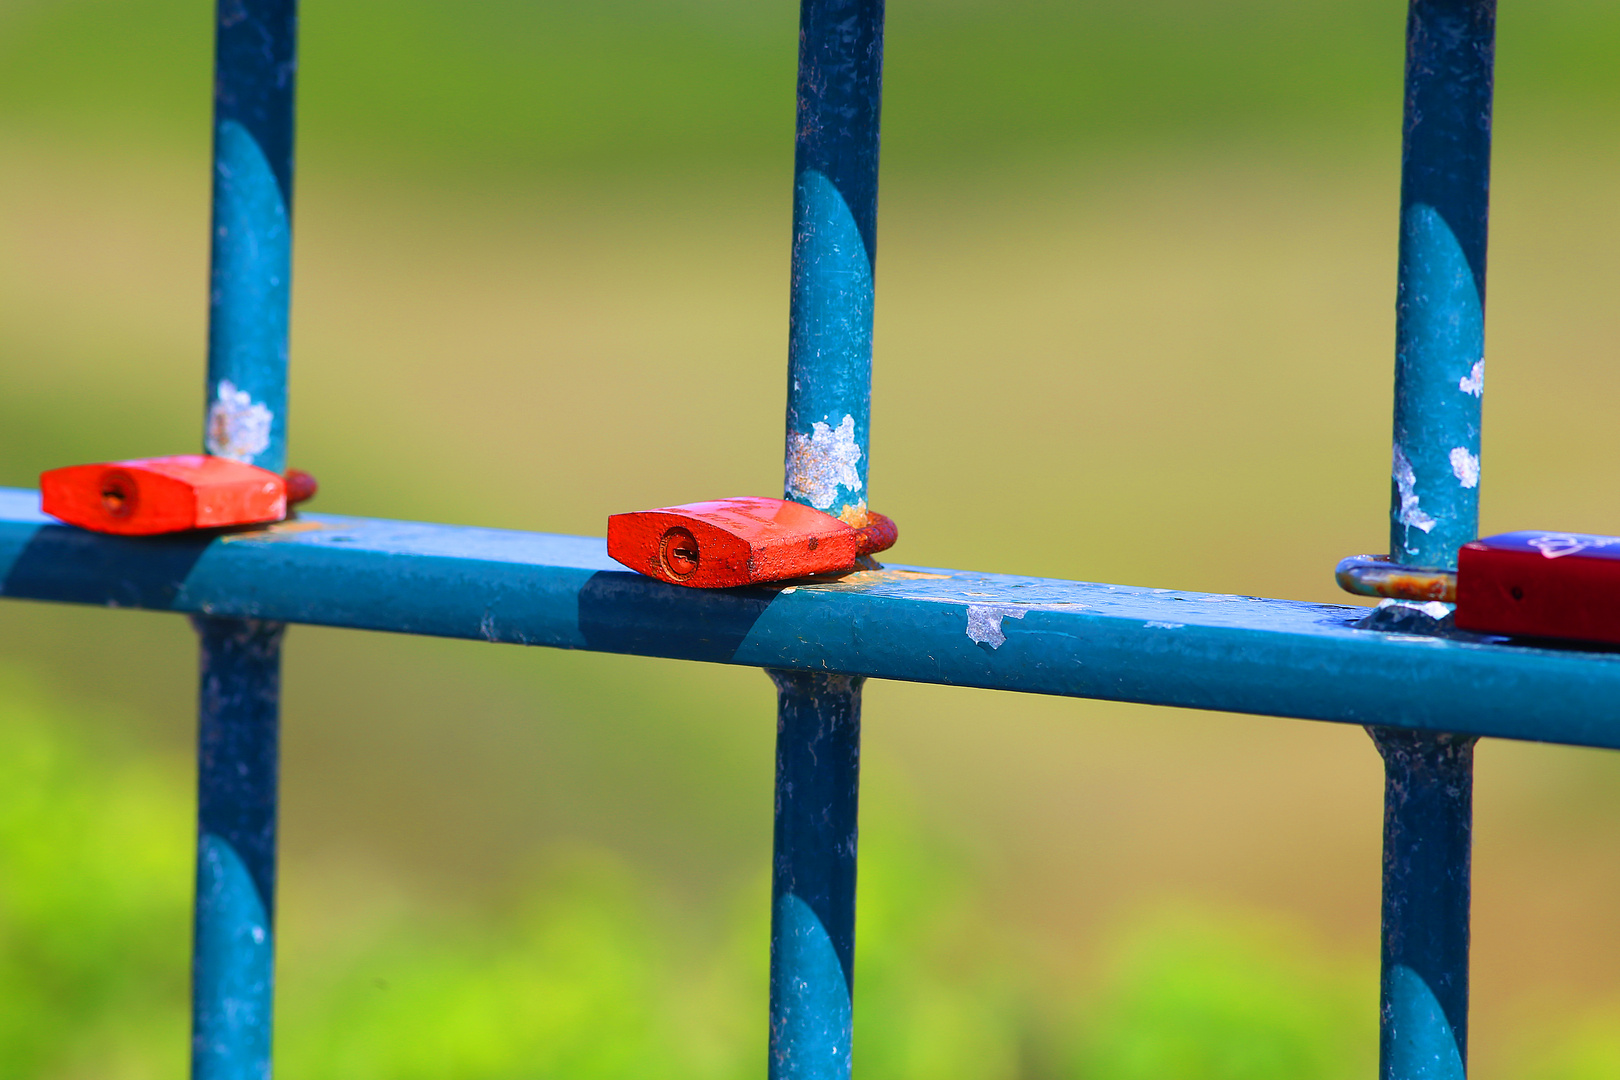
(576,974)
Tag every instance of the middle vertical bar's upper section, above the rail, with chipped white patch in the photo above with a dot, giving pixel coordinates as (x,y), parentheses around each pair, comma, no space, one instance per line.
(835,242)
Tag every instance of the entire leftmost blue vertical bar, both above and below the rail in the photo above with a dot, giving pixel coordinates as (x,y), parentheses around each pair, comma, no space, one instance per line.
(232,976)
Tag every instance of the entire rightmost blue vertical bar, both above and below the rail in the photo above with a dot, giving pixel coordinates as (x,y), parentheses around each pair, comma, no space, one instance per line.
(1435,509)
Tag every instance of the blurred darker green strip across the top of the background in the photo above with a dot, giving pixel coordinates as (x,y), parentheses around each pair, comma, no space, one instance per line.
(519,88)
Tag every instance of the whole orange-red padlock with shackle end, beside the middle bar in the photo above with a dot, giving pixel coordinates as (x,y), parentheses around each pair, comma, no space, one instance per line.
(741,542)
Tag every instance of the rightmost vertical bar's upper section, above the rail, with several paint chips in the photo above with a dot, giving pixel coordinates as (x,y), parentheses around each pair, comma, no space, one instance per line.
(1441,304)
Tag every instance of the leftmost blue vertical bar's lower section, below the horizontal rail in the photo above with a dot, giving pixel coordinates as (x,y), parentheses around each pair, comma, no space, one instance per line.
(232,966)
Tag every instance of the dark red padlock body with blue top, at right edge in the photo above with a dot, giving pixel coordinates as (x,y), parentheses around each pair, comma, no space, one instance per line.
(1541,585)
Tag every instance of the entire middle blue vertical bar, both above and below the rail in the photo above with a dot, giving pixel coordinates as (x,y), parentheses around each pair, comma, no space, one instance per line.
(829,410)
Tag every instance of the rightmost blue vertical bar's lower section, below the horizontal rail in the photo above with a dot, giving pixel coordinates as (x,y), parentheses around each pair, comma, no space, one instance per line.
(1428,833)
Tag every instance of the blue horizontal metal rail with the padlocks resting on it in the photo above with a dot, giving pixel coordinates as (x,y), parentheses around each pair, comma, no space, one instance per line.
(916,624)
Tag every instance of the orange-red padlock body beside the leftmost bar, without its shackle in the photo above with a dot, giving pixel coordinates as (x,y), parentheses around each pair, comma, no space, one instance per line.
(153,496)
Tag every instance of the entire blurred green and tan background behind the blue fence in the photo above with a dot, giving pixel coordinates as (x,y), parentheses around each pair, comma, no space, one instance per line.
(1135,325)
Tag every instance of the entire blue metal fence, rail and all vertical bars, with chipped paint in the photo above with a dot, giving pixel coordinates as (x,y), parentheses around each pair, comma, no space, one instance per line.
(1425,697)
